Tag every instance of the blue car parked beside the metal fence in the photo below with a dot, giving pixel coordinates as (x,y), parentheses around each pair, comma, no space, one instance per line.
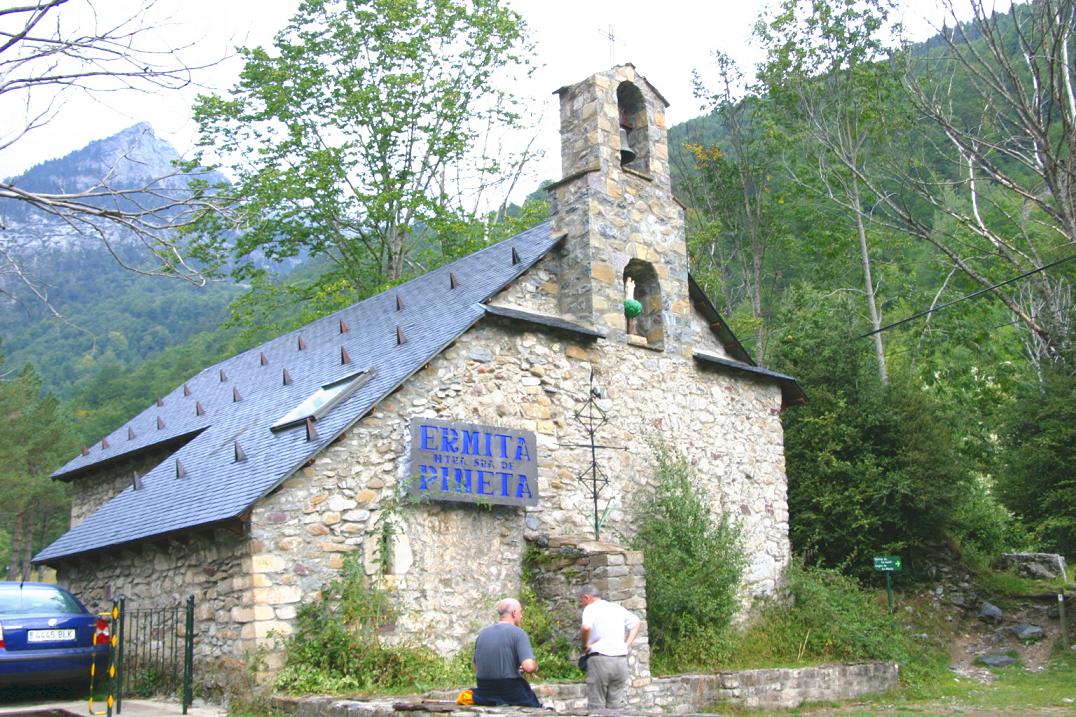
(48,636)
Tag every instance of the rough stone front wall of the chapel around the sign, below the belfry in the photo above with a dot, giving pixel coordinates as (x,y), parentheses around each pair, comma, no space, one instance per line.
(450,564)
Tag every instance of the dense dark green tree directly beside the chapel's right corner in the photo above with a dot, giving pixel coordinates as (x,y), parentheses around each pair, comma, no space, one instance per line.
(872,469)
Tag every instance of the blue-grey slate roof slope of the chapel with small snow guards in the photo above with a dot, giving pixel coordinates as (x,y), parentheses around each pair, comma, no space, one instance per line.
(236,401)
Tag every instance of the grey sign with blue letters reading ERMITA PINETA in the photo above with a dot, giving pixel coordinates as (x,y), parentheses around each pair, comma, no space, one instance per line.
(469,463)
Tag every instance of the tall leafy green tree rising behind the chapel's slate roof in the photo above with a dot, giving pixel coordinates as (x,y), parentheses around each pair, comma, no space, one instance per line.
(367,134)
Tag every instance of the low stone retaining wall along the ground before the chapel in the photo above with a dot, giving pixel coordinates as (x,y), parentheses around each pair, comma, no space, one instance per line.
(681,695)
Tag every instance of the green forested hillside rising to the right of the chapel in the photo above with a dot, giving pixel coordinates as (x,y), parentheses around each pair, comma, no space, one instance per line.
(894,227)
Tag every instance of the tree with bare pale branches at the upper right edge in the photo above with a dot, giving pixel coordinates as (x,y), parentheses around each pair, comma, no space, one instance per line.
(993,188)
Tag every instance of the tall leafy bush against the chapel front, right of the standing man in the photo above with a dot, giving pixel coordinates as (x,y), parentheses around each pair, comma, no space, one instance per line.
(695,567)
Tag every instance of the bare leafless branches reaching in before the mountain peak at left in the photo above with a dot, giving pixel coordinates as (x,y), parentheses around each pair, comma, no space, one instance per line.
(47,54)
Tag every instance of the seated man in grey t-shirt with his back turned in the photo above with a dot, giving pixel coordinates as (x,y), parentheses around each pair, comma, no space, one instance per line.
(503,655)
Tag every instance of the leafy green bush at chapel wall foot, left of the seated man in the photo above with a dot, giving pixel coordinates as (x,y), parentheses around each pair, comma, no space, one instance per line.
(336,646)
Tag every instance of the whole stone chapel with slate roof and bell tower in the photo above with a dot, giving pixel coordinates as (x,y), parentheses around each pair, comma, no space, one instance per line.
(434,430)
